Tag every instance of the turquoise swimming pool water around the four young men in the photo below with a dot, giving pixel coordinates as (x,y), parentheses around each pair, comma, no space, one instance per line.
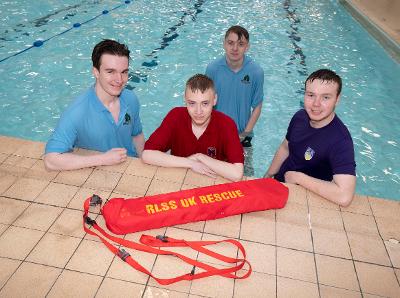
(171,40)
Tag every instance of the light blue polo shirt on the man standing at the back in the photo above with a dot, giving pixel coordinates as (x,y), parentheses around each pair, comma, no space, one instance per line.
(237,92)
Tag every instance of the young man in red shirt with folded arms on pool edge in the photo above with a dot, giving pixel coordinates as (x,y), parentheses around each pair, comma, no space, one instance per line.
(199,137)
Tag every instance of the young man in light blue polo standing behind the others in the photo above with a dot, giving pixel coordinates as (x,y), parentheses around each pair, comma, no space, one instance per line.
(239,83)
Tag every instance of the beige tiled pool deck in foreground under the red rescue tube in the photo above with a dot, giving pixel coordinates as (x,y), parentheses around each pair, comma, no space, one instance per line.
(310,248)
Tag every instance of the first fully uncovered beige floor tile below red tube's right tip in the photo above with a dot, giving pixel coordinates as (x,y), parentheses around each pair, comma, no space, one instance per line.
(293,236)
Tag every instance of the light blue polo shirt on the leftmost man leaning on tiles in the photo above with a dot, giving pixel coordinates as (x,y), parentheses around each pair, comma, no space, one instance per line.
(88,124)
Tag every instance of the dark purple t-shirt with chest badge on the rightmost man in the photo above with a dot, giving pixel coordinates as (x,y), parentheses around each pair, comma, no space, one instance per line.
(318,152)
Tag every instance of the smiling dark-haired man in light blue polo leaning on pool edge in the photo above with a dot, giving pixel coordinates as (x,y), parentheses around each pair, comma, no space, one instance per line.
(105,118)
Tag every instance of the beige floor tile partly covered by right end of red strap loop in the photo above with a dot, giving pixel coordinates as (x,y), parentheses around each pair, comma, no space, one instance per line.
(262,257)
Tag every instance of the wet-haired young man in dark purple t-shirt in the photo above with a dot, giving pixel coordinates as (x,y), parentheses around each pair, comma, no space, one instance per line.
(318,151)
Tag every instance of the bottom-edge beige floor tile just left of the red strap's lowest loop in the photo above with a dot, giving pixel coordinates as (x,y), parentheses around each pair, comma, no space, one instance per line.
(118,288)
